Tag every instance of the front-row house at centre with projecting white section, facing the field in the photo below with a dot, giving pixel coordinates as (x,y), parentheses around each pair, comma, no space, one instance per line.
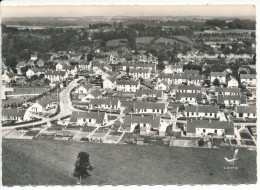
(146,124)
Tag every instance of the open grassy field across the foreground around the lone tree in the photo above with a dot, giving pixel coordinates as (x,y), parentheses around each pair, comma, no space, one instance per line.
(50,162)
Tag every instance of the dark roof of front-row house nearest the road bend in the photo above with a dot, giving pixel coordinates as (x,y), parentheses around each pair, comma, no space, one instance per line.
(99,116)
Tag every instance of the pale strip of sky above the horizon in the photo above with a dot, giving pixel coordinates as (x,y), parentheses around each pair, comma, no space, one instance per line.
(79,11)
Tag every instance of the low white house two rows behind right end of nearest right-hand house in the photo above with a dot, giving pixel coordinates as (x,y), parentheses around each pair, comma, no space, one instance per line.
(230,100)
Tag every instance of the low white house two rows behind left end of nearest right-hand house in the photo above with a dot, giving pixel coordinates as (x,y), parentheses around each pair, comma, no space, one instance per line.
(191,98)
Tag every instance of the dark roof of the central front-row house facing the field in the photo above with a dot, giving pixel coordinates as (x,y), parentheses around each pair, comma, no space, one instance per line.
(154,121)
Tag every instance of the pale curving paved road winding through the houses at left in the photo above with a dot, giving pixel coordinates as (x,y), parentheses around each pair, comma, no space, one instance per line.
(65,107)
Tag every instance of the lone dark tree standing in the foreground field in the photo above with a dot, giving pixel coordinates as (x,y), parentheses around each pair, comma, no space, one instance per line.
(82,166)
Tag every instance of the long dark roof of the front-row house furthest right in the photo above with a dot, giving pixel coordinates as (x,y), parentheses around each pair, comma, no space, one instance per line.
(210,124)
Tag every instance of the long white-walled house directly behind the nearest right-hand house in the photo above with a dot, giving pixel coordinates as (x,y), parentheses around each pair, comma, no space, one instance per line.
(202,111)
